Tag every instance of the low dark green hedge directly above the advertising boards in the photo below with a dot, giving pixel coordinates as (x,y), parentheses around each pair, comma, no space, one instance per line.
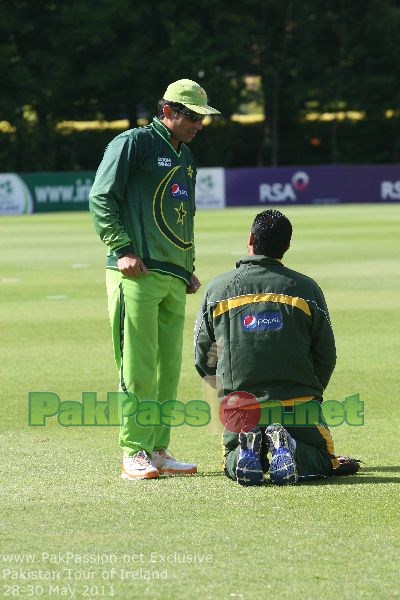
(221,144)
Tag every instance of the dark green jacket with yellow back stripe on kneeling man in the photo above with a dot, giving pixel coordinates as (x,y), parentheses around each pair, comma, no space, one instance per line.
(272,330)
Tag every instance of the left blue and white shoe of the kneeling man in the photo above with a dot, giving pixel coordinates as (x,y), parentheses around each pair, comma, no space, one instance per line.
(248,470)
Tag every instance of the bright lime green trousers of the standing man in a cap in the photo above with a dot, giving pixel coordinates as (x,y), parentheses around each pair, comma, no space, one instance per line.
(147,317)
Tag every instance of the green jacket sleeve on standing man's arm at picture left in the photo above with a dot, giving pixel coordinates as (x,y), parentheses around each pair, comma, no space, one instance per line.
(107,195)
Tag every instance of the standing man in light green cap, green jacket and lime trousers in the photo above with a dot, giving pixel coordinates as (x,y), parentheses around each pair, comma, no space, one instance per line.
(143,204)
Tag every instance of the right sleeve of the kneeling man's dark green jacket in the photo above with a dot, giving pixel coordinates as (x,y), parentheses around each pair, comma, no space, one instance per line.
(322,340)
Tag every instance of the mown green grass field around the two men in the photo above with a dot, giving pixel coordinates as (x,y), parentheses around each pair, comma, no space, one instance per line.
(62,501)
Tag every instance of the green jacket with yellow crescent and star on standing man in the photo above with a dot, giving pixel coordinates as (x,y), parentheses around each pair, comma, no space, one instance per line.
(142,200)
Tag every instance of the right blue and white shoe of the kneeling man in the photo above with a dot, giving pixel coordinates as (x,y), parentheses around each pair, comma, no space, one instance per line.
(282,468)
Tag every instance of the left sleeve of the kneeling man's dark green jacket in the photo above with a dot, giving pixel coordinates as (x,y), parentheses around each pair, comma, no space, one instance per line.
(204,342)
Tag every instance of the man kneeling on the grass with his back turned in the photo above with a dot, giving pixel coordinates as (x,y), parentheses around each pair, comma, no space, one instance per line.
(263,333)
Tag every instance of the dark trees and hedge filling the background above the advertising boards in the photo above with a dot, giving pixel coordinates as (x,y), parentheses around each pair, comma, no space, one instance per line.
(113,59)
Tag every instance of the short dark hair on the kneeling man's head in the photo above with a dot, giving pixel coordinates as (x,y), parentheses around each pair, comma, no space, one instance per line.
(272,232)
